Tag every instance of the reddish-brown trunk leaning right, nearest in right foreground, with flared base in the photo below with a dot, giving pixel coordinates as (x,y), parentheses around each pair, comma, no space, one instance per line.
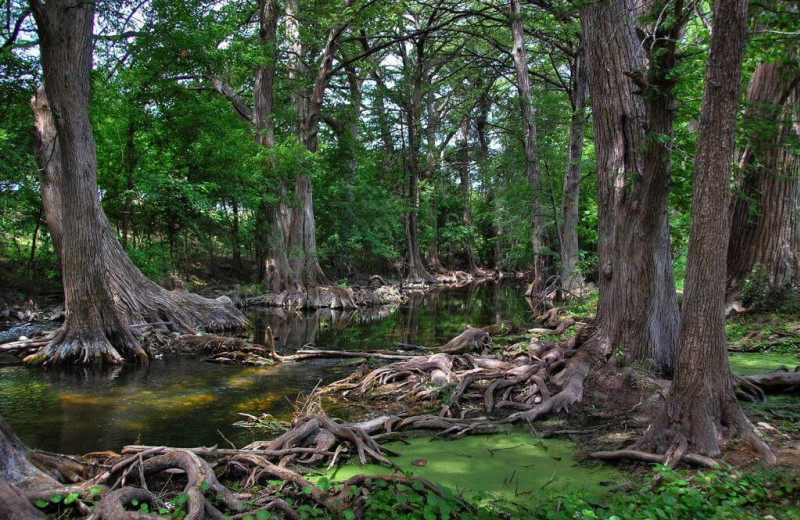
(701,409)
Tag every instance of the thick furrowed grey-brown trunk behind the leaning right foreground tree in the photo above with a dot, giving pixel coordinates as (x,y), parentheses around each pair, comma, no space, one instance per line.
(637,310)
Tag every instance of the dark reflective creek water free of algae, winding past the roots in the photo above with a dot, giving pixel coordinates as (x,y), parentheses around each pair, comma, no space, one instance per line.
(184,401)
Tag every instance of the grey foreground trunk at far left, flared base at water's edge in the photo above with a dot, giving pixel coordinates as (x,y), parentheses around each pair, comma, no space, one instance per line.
(93,332)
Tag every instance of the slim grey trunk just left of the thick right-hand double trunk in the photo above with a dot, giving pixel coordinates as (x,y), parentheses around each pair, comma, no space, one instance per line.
(571,277)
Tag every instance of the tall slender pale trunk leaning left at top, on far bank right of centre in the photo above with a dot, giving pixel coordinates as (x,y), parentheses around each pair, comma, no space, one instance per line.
(532,166)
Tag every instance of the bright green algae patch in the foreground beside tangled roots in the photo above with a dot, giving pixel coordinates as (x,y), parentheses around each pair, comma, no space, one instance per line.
(517,467)
